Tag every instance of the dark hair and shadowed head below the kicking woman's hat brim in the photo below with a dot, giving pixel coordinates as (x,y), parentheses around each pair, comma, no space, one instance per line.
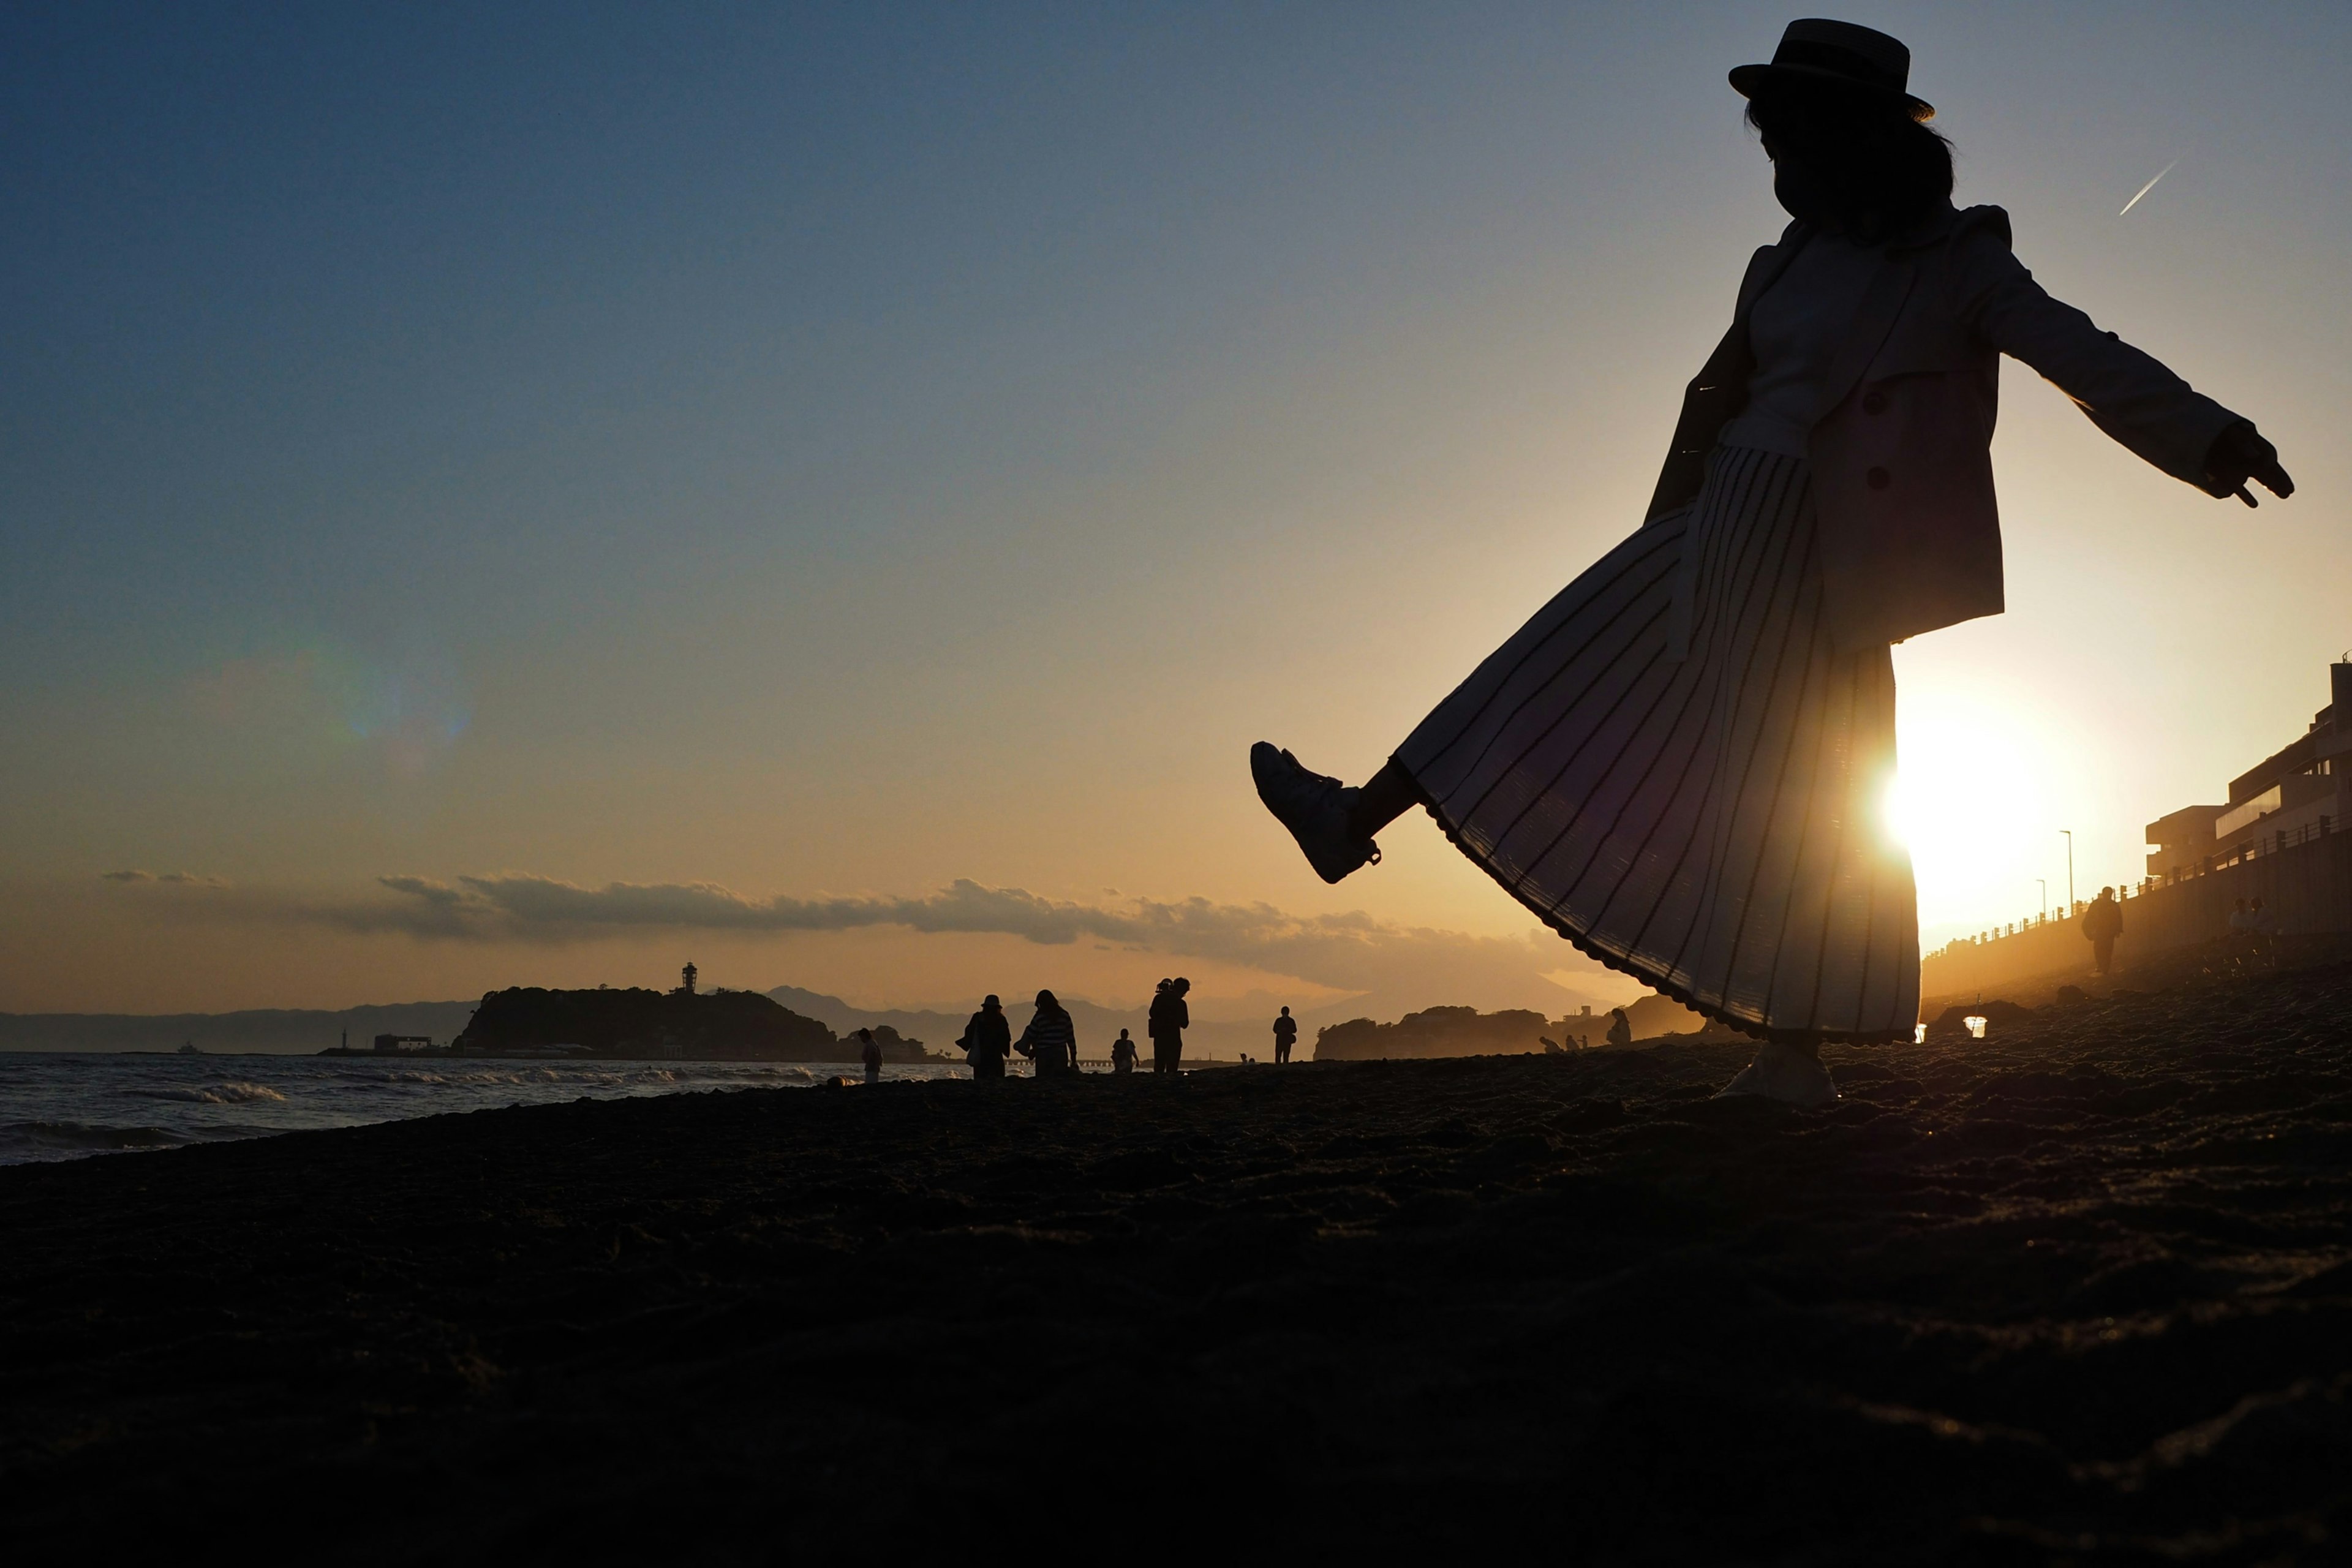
(1876,168)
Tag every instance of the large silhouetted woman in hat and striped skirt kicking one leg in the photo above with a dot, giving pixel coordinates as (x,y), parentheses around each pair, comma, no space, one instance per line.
(1681,763)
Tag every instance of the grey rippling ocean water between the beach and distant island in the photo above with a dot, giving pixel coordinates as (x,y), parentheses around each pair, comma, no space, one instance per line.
(65,1106)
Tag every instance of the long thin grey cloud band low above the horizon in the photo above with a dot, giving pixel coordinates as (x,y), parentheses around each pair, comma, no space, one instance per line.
(1351,951)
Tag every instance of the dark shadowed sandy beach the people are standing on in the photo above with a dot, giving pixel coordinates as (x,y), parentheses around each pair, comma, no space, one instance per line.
(2080,1294)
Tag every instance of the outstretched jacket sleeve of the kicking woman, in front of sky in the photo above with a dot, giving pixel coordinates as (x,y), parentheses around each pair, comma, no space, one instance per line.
(2127,394)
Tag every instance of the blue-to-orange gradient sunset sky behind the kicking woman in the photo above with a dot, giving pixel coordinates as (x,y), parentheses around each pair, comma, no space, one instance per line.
(721,478)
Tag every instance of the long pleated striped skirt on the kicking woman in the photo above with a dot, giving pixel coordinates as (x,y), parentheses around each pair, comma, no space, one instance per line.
(1676,772)
